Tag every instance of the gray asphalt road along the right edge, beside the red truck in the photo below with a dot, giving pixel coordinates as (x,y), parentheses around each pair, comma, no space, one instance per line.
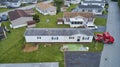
(112,51)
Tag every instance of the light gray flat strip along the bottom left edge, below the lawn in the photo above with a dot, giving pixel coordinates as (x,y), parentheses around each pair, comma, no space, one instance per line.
(51,64)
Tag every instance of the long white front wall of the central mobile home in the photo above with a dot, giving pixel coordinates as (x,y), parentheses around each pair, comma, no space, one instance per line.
(60,39)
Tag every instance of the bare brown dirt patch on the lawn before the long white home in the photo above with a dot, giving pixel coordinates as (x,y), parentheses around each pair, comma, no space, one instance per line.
(30,47)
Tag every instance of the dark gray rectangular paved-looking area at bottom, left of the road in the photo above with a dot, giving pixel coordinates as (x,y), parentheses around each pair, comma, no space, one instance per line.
(82,59)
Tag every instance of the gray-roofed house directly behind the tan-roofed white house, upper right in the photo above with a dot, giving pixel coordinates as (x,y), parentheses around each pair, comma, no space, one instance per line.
(89,8)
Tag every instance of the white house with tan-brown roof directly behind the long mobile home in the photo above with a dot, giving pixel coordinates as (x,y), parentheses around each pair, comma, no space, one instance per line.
(78,19)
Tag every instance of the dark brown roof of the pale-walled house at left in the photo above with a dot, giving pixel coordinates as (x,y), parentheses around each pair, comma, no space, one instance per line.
(17,14)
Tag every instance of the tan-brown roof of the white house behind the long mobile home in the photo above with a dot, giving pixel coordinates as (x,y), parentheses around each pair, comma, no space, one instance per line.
(75,14)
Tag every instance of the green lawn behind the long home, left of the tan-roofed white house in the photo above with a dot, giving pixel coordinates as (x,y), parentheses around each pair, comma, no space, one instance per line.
(52,21)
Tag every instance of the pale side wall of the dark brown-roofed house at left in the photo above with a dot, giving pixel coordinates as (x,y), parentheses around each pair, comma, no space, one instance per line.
(20,22)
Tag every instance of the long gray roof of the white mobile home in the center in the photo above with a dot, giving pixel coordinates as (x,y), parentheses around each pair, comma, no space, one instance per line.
(57,31)
